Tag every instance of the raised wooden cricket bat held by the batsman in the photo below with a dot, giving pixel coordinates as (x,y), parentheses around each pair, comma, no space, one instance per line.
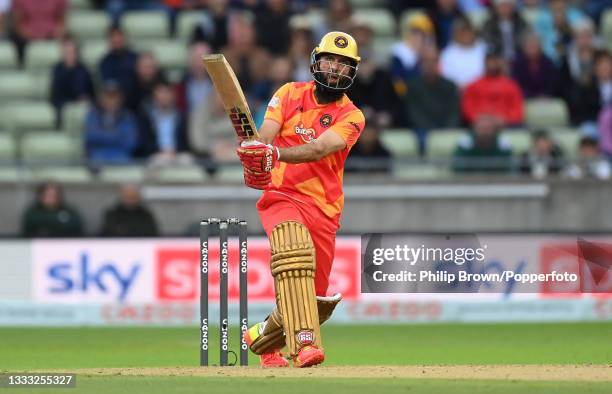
(231,95)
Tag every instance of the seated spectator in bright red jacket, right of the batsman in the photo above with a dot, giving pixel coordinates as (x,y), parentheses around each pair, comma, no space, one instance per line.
(494,94)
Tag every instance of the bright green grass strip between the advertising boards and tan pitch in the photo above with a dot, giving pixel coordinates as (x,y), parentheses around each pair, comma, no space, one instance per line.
(29,348)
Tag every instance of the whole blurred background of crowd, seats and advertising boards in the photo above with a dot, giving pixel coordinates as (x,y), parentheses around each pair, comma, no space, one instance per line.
(486,116)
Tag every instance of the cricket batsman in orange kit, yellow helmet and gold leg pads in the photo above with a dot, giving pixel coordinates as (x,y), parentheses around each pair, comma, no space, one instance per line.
(308,131)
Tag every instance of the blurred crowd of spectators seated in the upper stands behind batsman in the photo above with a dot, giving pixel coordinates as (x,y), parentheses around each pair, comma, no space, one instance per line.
(442,72)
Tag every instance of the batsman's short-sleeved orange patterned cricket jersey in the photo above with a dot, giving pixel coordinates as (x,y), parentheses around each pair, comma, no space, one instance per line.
(302,120)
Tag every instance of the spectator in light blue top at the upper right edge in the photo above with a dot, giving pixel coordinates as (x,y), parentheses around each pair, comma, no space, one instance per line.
(554,26)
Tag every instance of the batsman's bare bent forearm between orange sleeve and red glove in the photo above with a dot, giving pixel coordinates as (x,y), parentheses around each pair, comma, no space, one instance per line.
(327,143)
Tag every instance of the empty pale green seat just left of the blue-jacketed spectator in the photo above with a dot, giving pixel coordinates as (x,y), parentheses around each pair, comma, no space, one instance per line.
(49,146)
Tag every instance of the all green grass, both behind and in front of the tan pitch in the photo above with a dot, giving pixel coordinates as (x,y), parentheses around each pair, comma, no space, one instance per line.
(451,344)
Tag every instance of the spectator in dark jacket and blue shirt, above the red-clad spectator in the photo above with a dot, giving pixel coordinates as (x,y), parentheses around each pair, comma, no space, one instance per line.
(503,30)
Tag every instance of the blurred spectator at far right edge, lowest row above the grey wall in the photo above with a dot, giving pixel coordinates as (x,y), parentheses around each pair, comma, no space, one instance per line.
(591,163)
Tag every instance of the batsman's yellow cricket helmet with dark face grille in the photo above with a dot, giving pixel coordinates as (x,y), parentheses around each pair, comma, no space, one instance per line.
(341,44)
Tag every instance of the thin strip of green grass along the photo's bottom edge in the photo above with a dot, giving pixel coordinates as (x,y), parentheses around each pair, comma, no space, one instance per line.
(155,385)
